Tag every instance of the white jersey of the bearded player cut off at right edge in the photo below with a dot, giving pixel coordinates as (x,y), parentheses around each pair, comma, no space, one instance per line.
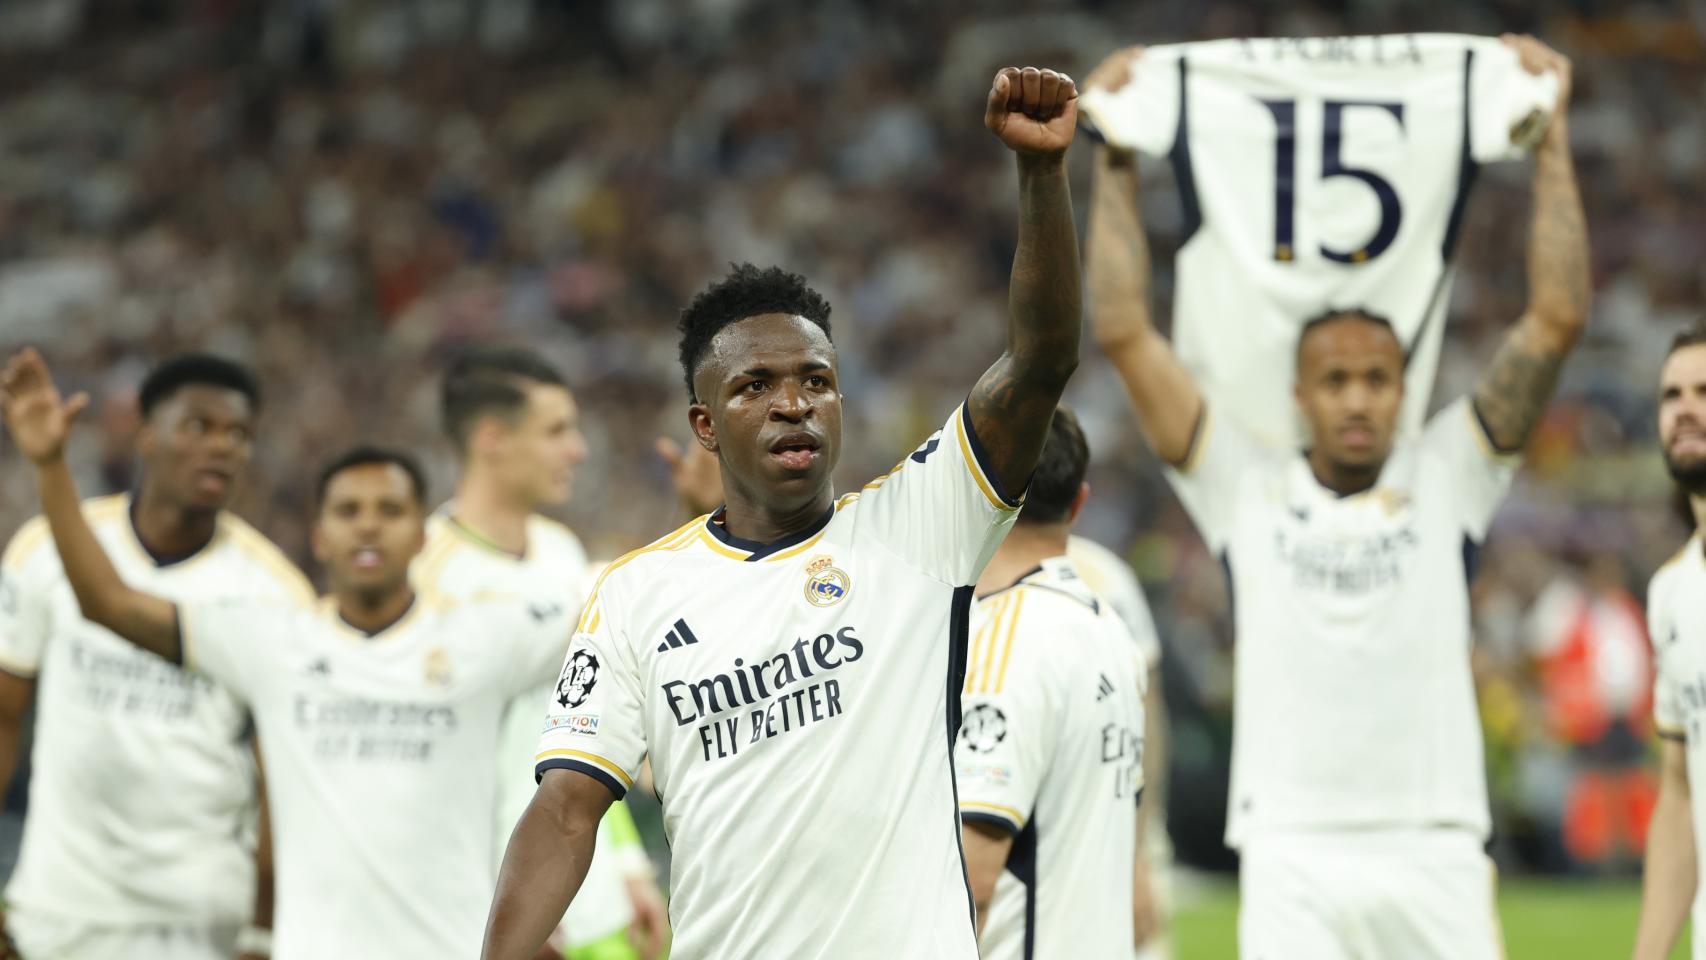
(1676,615)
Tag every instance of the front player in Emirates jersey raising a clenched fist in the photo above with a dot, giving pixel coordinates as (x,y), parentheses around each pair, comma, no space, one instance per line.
(792,664)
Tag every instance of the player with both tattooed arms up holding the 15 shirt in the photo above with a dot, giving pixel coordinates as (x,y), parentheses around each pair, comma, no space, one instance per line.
(1359,795)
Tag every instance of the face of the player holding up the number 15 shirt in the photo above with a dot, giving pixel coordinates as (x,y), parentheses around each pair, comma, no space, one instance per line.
(1350,386)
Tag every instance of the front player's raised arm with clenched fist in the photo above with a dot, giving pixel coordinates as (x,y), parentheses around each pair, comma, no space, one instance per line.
(1035,113)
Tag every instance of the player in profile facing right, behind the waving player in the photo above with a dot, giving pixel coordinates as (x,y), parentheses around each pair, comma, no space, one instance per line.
(518,437)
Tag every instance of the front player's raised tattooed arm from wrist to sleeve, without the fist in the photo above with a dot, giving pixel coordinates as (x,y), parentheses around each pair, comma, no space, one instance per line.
(1014,402)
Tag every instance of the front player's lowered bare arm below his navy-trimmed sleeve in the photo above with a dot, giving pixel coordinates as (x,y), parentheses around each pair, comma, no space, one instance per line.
(545,864)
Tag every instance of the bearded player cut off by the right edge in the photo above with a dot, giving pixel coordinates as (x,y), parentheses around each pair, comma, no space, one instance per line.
(1676,615)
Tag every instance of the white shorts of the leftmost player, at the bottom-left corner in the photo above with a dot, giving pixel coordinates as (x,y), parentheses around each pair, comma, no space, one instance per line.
(57,939)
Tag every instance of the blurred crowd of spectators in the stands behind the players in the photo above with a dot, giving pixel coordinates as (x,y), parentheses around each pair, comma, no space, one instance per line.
(345,192)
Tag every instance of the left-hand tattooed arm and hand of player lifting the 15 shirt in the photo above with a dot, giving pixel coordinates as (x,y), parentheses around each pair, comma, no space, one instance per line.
(1118,275)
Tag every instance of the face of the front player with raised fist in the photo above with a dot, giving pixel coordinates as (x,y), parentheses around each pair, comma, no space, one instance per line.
(772,407)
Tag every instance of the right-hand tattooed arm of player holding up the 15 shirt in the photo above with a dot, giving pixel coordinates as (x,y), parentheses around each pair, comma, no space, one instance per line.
(1519,385)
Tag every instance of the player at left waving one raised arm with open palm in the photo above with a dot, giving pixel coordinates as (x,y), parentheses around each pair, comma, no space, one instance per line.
(373,710)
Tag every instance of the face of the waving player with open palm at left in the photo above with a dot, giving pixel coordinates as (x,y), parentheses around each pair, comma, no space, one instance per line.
(369,529)
